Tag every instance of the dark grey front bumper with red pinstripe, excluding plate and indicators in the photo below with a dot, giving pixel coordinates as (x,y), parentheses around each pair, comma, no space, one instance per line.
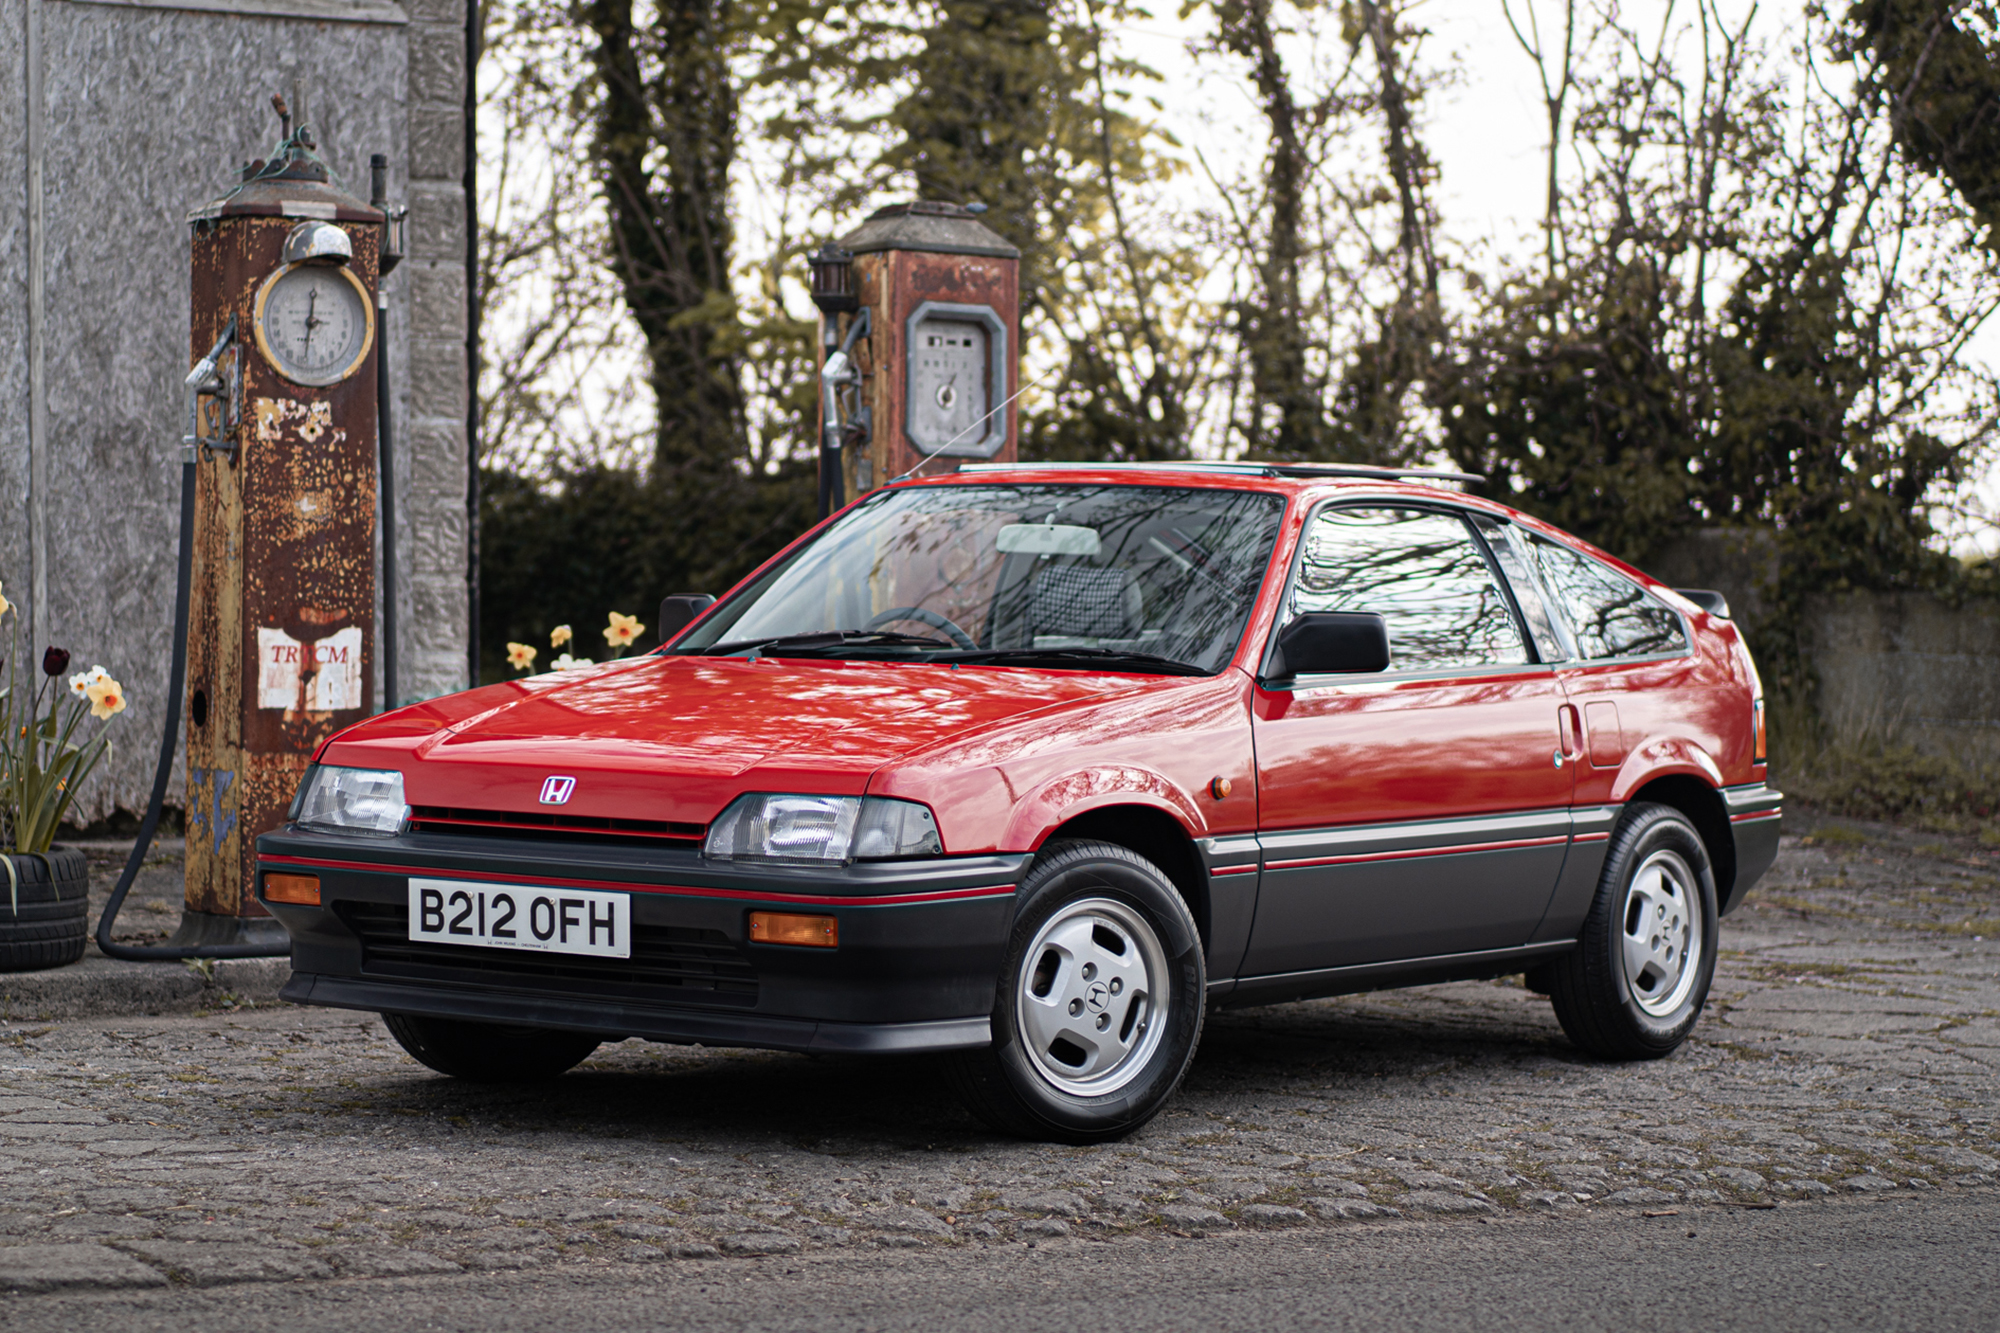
(921,944)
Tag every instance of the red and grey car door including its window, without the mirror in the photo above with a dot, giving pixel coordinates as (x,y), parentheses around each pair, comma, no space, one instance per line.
(1425,810)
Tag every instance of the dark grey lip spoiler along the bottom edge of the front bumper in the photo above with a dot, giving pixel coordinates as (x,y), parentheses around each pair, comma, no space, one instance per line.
(615,1020)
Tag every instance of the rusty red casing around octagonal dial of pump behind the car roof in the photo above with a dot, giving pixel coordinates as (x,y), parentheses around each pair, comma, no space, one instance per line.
(893,285)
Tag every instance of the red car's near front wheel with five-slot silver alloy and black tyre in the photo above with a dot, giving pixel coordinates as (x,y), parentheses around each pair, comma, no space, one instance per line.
(1099,1006)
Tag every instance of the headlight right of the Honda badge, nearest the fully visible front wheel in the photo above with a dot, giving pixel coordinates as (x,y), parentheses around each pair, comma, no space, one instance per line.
(823,830)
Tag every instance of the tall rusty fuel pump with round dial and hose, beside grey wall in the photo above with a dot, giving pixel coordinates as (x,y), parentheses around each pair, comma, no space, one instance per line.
(277,597)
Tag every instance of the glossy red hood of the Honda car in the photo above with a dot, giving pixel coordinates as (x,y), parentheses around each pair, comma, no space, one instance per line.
(679,738)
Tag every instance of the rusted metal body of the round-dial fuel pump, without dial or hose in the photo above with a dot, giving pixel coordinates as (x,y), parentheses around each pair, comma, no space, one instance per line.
(281,643)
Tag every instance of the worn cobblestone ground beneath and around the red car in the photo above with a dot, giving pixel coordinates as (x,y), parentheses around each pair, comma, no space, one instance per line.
(1851,1046)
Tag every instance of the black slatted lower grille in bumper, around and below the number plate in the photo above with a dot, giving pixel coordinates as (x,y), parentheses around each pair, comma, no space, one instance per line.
(669,964)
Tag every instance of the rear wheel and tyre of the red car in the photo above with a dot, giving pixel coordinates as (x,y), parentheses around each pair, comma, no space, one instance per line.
(1637,982)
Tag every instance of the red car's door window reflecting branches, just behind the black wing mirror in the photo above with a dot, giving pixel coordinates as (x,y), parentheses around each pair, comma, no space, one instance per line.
(1423,573)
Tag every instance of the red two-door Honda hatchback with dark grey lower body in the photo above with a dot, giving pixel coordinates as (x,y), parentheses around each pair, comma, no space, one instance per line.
(1033,766)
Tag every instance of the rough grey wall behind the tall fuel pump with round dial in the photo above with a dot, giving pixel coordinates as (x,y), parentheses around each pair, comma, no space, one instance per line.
(149,113)
